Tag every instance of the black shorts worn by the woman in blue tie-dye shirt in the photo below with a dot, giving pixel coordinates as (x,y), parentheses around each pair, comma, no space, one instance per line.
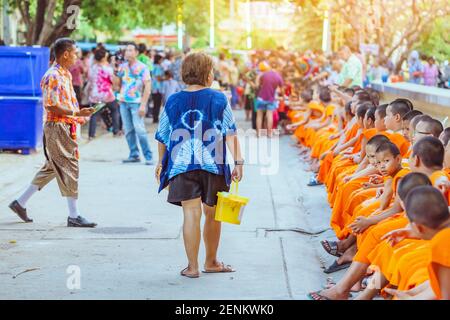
(196,184)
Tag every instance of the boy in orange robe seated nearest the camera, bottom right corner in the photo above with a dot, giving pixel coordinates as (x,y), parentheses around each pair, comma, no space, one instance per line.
(429,218)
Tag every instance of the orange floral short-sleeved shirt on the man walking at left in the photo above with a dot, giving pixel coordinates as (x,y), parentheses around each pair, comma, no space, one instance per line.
(57,90)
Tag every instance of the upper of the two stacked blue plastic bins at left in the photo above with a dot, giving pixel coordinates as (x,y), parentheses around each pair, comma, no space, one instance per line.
(22,69)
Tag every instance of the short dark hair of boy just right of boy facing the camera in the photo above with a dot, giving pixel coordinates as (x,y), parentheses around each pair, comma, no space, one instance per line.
(430,150)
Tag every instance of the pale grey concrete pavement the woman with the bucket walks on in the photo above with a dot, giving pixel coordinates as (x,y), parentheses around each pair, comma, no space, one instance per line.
(137,250)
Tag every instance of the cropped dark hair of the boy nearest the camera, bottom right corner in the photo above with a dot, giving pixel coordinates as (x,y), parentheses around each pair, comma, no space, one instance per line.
(426,205)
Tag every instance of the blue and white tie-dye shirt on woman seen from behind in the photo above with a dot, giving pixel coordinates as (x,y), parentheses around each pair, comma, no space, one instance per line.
(193,126)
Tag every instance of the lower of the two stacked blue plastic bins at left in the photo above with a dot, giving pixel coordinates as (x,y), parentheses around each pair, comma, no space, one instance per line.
(21,123)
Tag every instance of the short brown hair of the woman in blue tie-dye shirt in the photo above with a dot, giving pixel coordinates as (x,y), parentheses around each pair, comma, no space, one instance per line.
(195,68)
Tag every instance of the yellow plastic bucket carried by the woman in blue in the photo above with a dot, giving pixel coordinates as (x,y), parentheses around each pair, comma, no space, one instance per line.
(230,206)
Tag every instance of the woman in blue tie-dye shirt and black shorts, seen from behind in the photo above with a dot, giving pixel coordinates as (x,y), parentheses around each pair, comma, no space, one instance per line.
(195,128)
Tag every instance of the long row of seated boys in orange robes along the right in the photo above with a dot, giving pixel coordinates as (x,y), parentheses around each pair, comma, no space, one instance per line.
(386,169)
